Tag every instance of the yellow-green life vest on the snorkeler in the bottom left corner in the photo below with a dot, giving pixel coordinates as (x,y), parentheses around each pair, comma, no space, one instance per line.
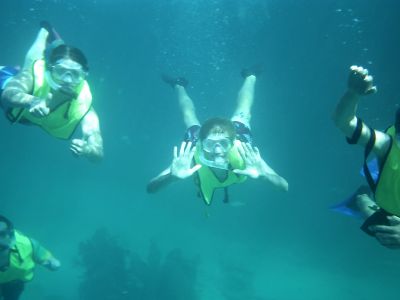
(21,264)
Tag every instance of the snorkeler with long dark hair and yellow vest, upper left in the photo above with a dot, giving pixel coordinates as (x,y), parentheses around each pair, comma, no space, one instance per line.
(51,92)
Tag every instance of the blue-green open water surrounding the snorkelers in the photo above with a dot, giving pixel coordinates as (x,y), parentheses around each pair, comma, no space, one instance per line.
(287,246)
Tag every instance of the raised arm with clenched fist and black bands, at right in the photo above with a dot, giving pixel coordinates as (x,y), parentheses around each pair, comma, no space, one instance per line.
(360,83)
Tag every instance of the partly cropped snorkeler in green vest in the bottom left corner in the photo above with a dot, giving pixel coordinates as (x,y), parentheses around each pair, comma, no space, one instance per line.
(19,256)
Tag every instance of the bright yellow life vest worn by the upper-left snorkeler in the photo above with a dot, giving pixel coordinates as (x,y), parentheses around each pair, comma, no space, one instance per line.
(64,119)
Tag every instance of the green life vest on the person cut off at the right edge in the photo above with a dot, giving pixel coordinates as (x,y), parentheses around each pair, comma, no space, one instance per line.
(387,193)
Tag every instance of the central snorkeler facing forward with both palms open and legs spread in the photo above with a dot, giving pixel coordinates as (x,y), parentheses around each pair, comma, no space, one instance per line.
(219,152)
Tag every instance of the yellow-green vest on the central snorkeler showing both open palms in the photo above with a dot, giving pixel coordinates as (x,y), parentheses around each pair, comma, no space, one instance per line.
(208,182)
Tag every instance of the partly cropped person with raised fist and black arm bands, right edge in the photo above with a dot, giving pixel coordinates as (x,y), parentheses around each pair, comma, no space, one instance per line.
(381,206)
